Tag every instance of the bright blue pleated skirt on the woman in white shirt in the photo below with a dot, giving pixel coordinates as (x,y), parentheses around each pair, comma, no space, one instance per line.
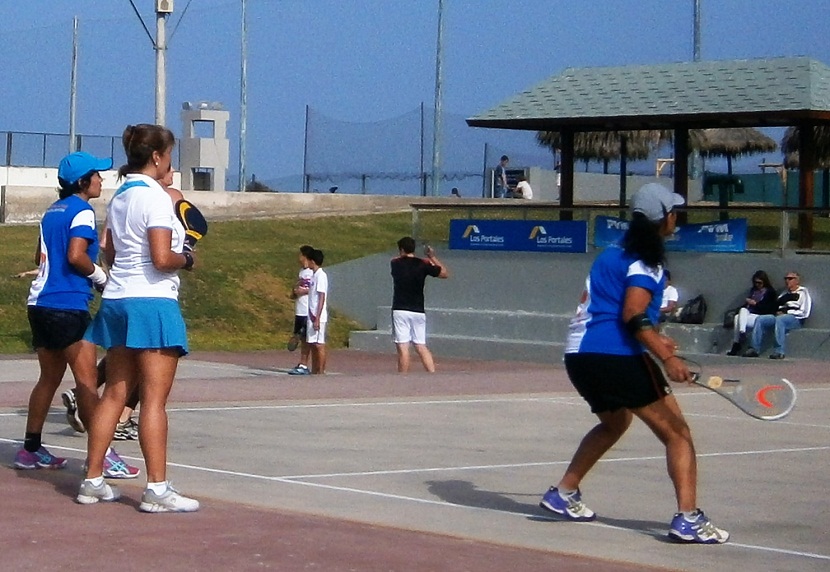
(139,323)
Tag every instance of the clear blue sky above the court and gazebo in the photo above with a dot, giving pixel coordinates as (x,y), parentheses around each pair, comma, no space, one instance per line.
(355,60)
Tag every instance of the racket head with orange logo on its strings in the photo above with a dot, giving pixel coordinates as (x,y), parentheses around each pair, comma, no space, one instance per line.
(761,397)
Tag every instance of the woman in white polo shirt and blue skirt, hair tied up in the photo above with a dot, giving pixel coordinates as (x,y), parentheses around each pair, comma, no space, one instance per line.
(140,323)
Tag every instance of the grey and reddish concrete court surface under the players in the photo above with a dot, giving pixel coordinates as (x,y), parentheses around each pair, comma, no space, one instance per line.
(363,469)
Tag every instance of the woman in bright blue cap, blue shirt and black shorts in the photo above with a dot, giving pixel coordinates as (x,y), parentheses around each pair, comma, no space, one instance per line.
(58,307)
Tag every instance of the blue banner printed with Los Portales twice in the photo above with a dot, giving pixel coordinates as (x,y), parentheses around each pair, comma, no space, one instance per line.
(519,235)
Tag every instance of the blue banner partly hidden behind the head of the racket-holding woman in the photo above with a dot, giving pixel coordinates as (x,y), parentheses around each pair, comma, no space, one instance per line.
(717,236)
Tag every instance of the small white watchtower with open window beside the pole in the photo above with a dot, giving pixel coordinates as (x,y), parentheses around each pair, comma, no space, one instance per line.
(204,146)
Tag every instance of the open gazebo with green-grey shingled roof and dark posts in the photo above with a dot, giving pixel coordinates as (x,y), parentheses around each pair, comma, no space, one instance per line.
(778,92)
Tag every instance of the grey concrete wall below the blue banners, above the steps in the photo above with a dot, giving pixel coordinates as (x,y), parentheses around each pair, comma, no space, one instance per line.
(552,282)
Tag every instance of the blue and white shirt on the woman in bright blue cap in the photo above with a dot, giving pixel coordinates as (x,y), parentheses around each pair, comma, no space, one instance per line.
(58,285)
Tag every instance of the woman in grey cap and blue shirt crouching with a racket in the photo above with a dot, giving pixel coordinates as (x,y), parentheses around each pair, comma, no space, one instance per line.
(608,357)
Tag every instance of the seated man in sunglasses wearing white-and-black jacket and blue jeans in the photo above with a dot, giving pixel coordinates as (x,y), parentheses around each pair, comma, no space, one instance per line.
(794,306)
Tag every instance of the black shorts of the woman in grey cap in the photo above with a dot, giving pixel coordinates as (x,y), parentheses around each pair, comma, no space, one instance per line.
(611,382)
